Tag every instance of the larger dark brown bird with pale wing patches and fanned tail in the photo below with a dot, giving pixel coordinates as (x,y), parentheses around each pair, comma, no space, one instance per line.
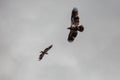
(75,25)
